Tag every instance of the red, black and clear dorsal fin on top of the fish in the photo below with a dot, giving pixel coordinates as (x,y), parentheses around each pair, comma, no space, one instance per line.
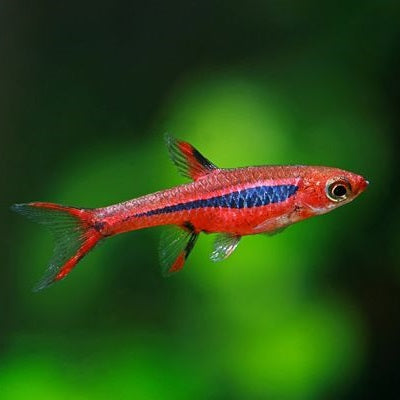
(189,161)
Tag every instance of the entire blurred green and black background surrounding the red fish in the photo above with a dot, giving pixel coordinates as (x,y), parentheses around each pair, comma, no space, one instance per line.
(87,91)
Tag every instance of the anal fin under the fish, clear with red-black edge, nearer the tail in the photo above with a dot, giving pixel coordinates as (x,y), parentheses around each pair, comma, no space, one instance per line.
(175,246)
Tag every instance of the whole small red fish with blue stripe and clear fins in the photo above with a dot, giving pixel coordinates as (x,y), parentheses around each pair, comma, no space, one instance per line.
(228,202)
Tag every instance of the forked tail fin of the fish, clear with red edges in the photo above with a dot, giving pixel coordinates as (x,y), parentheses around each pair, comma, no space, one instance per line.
(73,233)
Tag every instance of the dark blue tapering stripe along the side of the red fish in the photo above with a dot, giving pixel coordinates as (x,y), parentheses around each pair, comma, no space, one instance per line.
(247,198)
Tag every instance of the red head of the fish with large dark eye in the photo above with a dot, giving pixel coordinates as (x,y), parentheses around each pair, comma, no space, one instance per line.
(324,188)
